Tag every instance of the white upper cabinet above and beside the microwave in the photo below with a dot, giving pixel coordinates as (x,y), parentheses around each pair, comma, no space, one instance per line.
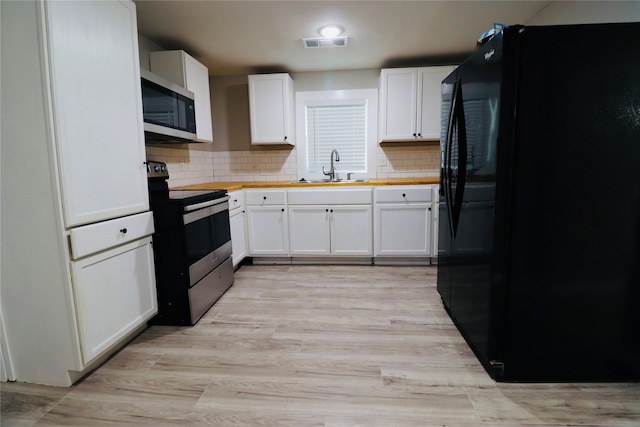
(179,67)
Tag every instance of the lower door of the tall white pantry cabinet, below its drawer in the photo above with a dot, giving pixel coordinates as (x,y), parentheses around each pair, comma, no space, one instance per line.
(115,293)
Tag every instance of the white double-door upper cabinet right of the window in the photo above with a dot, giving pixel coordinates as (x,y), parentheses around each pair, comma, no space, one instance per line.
(410,103)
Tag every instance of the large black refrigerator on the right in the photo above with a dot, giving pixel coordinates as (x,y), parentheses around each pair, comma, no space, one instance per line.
(539,210)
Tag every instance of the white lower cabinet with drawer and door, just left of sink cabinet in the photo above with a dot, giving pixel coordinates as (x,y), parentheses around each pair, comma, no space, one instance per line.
(267,222)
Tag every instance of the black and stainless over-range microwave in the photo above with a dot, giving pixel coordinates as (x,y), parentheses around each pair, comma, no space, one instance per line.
(168,110)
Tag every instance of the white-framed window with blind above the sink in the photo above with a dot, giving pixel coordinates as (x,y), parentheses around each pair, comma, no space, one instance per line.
(343,120)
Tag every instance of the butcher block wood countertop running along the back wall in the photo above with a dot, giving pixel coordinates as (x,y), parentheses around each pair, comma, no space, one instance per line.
(233,186)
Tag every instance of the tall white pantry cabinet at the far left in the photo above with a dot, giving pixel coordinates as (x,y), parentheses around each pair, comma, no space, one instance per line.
(76,259)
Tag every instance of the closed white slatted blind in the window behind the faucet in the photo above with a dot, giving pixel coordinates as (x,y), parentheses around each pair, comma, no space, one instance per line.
(340,126)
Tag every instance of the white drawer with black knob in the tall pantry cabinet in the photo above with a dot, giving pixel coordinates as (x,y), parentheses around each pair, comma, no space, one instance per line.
(104,235)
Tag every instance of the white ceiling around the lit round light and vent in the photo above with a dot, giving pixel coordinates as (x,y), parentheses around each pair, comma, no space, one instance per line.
(245,37)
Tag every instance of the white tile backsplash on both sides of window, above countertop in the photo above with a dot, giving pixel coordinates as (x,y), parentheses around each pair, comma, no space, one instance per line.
(188,166)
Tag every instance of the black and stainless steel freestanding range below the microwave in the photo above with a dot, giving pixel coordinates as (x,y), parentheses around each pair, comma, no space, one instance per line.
(192,248)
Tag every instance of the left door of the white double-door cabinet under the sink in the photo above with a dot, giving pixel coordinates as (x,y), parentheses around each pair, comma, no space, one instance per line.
(309,230)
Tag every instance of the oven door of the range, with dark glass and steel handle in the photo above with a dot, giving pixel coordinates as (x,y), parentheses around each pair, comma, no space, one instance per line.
(207,236)
